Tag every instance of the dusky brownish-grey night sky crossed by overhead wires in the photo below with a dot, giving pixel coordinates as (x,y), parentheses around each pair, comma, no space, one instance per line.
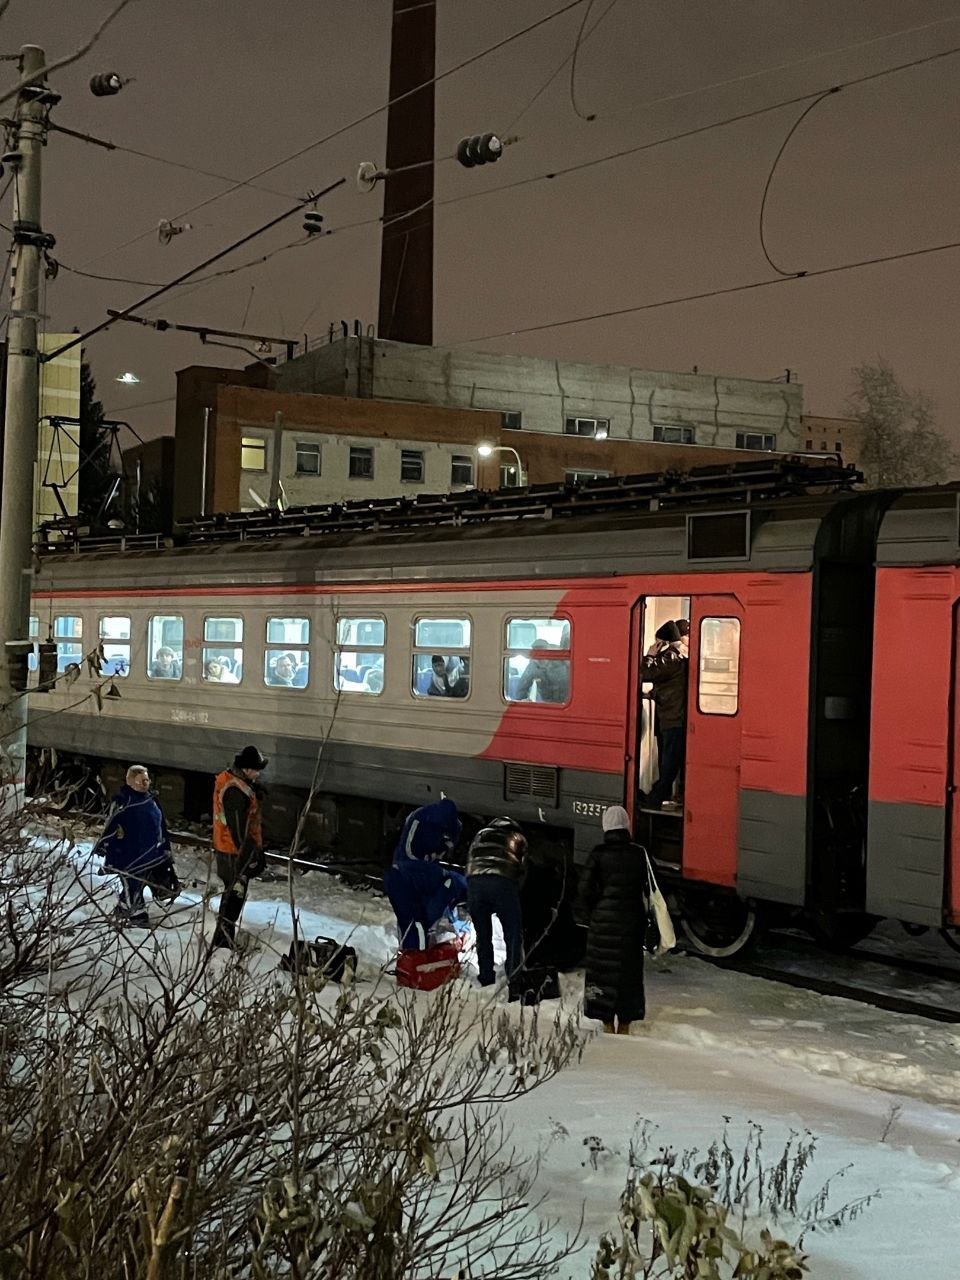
(235,86)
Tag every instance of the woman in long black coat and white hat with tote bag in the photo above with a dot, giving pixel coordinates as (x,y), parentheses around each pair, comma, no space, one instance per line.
(614,900)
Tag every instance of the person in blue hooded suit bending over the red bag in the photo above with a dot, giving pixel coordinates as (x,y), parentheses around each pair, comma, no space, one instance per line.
(420,890)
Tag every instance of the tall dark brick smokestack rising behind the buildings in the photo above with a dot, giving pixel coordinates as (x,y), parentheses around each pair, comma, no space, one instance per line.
(408,236)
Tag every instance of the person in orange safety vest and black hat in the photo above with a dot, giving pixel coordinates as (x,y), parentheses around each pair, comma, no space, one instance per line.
(239,840)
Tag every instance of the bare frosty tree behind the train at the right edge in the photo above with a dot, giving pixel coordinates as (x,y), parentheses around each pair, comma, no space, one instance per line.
(902,445)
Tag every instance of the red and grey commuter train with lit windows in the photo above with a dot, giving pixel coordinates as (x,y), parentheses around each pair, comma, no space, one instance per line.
(488,647)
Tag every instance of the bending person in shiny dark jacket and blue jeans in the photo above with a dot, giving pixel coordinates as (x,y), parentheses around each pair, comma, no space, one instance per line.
(495,875)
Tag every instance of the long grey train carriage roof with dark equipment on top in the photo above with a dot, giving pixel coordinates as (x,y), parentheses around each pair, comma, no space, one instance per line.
(765,515)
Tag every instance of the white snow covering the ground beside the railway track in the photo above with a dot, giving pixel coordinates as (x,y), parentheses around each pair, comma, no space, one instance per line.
(880,1091)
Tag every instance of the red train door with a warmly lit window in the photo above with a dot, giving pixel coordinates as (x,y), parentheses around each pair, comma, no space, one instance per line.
(712,788)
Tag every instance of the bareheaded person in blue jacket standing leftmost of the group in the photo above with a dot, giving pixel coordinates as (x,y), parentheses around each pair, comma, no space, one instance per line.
(136,845)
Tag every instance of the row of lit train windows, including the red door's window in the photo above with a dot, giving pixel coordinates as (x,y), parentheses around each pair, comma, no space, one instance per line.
(536,656)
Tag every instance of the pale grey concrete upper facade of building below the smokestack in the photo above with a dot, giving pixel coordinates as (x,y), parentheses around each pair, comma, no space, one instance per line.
(534,395)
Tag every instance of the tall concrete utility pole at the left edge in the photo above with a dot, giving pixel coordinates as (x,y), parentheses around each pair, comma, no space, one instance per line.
(21,427)
